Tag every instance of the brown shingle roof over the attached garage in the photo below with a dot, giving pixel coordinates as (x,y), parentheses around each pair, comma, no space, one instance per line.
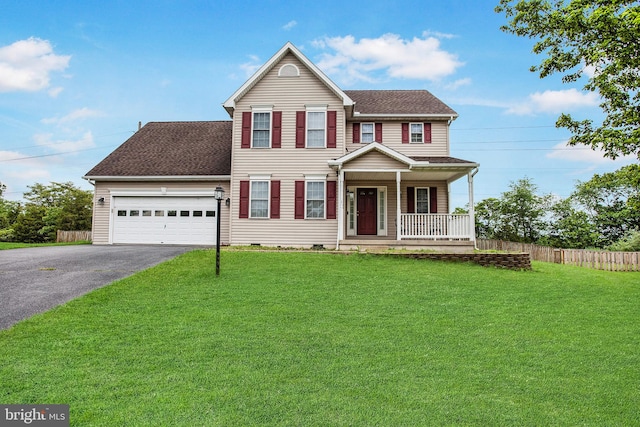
(171,149)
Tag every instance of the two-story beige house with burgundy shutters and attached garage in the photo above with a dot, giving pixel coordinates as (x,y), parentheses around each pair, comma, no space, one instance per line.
(303,163)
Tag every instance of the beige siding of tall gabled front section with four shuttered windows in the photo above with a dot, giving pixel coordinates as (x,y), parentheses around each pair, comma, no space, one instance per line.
(287,164)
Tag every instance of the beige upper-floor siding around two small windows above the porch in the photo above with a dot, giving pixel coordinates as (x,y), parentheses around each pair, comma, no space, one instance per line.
(392,138)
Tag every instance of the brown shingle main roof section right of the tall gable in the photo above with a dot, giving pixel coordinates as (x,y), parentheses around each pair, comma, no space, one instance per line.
(398,102)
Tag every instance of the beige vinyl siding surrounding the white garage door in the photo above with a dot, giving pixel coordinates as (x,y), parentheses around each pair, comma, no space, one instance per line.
(102,213)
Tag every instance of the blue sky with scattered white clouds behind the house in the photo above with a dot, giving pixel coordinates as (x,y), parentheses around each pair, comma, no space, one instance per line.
(76,77)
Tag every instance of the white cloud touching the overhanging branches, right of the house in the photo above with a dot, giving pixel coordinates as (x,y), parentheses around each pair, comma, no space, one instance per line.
(554,101)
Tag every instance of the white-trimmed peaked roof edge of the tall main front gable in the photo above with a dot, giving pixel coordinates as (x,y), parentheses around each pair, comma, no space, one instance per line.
(288,47)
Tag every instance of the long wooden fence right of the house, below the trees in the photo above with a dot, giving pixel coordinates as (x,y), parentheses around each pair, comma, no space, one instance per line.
(600,260)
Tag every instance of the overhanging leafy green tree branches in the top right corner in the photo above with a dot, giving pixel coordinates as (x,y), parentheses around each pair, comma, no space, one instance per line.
(597,38)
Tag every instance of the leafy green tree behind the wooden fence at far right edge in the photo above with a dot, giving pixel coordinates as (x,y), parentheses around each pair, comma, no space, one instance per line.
(612,201)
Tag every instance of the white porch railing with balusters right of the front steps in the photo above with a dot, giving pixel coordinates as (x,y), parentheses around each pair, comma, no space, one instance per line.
(435,226)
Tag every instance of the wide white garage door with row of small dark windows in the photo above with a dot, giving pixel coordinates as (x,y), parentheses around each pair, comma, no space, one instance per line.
(164,220)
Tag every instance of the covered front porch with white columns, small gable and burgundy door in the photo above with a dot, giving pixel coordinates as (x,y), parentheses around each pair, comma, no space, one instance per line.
(388,200)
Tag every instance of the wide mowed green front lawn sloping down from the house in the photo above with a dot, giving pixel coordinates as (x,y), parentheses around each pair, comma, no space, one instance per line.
(321,339)
